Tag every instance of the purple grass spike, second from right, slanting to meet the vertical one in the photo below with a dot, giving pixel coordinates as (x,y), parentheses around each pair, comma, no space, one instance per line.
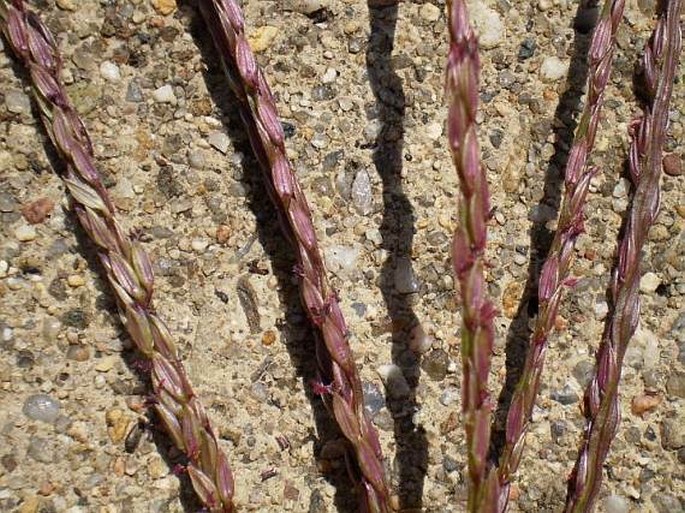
(555,271)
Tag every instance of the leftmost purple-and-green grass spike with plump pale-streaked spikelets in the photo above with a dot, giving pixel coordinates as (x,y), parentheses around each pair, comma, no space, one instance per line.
(127,265)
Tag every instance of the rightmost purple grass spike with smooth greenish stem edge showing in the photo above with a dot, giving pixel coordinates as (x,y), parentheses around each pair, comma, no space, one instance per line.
(648,134)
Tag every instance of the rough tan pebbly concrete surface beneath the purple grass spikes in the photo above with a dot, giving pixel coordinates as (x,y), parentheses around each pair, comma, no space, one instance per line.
(365,131)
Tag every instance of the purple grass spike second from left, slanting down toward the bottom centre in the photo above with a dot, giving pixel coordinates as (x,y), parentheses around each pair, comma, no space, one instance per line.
(259,114)
